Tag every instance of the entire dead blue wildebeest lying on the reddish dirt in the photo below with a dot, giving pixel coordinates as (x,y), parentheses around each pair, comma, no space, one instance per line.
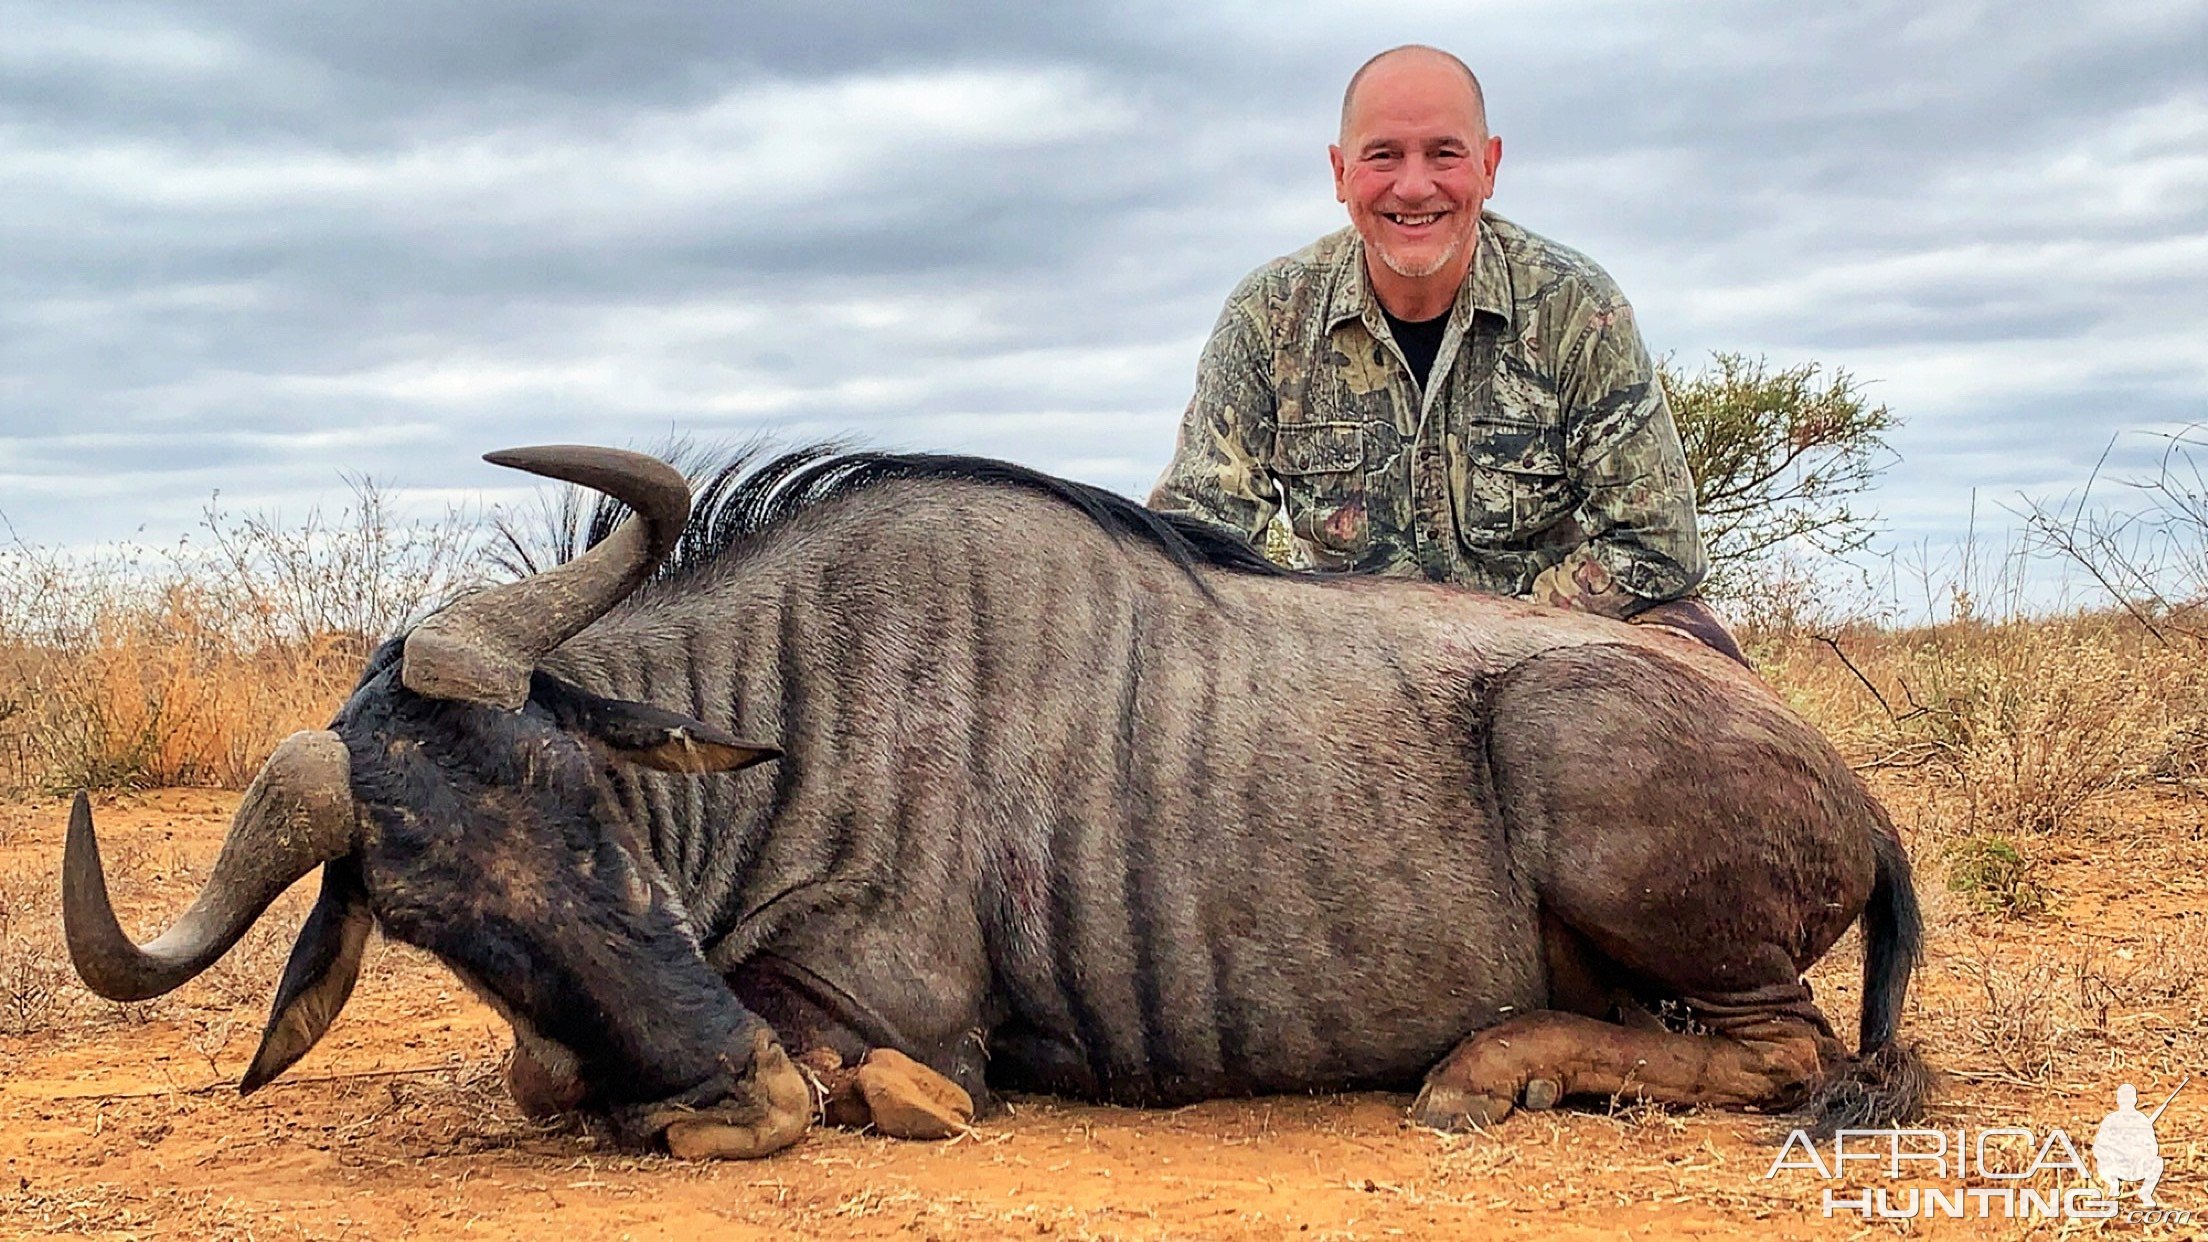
(1048,792)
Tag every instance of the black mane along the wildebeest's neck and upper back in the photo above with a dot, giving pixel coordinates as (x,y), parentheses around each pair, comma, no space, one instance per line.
(745,496)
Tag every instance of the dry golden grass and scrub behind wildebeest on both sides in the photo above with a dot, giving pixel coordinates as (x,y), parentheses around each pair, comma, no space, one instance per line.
(184,669)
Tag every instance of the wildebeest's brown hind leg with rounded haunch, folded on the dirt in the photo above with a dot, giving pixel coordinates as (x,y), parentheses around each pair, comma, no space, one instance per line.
(1701,845)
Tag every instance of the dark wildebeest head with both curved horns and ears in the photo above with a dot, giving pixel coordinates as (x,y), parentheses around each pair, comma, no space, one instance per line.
(463,799)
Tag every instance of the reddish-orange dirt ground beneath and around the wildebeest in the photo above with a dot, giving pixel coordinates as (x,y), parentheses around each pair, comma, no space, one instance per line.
(120,1122)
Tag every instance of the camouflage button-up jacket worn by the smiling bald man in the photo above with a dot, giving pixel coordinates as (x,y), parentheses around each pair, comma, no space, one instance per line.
(1540,459)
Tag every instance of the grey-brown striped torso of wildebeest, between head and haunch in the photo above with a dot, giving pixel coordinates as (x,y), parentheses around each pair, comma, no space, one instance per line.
(1039,786)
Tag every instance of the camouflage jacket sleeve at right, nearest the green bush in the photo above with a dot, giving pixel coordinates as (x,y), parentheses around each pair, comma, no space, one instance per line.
(1626,459)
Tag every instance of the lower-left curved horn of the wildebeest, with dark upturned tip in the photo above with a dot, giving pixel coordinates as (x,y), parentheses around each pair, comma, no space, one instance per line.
(297,817)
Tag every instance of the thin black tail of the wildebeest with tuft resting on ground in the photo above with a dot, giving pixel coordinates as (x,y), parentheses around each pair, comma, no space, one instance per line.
(1887,1082)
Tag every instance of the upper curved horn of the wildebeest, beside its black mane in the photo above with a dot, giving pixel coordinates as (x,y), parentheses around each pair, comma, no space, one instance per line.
(482,649)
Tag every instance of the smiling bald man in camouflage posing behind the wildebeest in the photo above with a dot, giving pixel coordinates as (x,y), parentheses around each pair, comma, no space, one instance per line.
(1439,390)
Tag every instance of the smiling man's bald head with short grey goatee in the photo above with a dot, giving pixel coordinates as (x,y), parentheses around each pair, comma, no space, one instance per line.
(1416,165)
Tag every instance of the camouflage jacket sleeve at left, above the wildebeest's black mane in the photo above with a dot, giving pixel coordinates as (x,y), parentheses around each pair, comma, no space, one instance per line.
(1218,465)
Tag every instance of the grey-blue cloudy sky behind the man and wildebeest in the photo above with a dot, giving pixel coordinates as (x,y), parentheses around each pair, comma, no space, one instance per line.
(255,246)
